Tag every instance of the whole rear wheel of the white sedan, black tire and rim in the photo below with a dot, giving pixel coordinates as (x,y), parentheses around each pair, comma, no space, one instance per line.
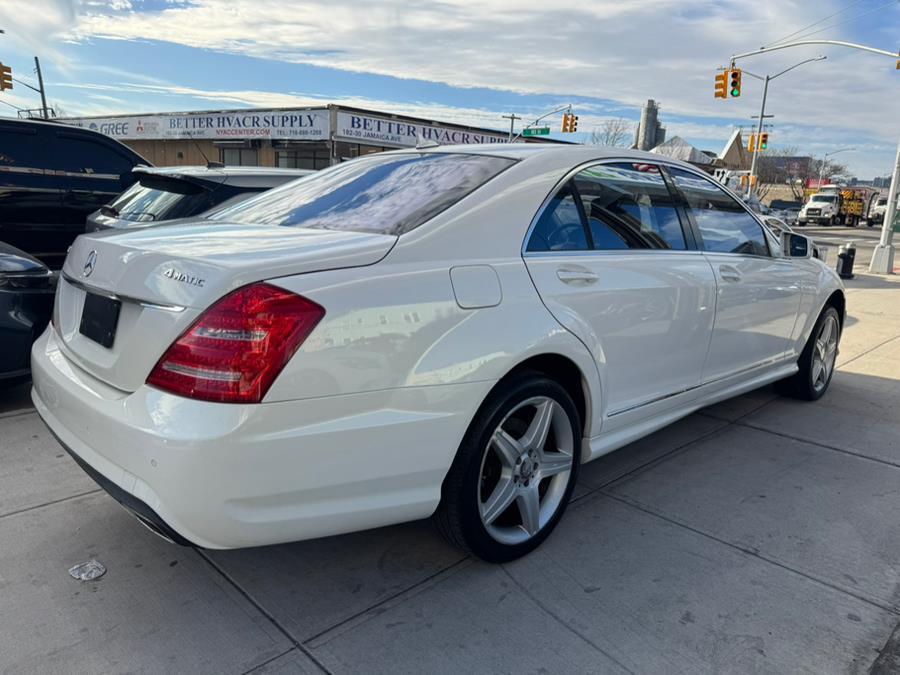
(507,489)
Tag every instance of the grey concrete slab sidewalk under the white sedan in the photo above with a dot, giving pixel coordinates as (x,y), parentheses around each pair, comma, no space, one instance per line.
(762,534)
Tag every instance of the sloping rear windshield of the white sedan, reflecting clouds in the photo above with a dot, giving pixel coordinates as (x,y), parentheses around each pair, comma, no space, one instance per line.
(387,194)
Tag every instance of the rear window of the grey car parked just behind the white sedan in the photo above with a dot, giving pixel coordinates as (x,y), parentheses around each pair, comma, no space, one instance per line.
(153,198)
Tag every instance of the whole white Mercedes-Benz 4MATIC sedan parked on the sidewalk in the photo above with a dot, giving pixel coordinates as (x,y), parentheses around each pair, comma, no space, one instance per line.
(444,332)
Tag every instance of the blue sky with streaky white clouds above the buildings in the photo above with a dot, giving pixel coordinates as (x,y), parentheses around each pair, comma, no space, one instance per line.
(471,62)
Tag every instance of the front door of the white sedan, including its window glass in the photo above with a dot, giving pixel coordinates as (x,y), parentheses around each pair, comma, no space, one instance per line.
(758,294)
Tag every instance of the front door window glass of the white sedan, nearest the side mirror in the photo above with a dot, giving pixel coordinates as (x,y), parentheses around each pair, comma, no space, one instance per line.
(725,225)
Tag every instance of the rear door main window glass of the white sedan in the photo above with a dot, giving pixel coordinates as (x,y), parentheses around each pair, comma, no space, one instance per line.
(628,206)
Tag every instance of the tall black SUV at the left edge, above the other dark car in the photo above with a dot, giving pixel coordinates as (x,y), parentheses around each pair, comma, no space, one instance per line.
(51,177)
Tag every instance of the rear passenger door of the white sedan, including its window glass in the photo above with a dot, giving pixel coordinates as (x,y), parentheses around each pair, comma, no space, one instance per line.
(612,262)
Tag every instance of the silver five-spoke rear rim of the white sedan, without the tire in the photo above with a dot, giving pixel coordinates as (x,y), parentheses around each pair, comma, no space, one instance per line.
(525,470)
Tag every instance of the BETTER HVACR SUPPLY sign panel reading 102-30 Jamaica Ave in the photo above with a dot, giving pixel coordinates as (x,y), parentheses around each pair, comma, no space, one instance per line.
(372,130)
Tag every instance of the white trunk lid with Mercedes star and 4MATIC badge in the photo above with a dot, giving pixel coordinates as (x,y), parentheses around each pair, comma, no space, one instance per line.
(164,277)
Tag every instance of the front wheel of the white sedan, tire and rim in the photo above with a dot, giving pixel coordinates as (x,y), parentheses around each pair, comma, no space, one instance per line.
(817,361)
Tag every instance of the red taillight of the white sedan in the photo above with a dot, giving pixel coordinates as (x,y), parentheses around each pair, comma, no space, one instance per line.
(237,347)
